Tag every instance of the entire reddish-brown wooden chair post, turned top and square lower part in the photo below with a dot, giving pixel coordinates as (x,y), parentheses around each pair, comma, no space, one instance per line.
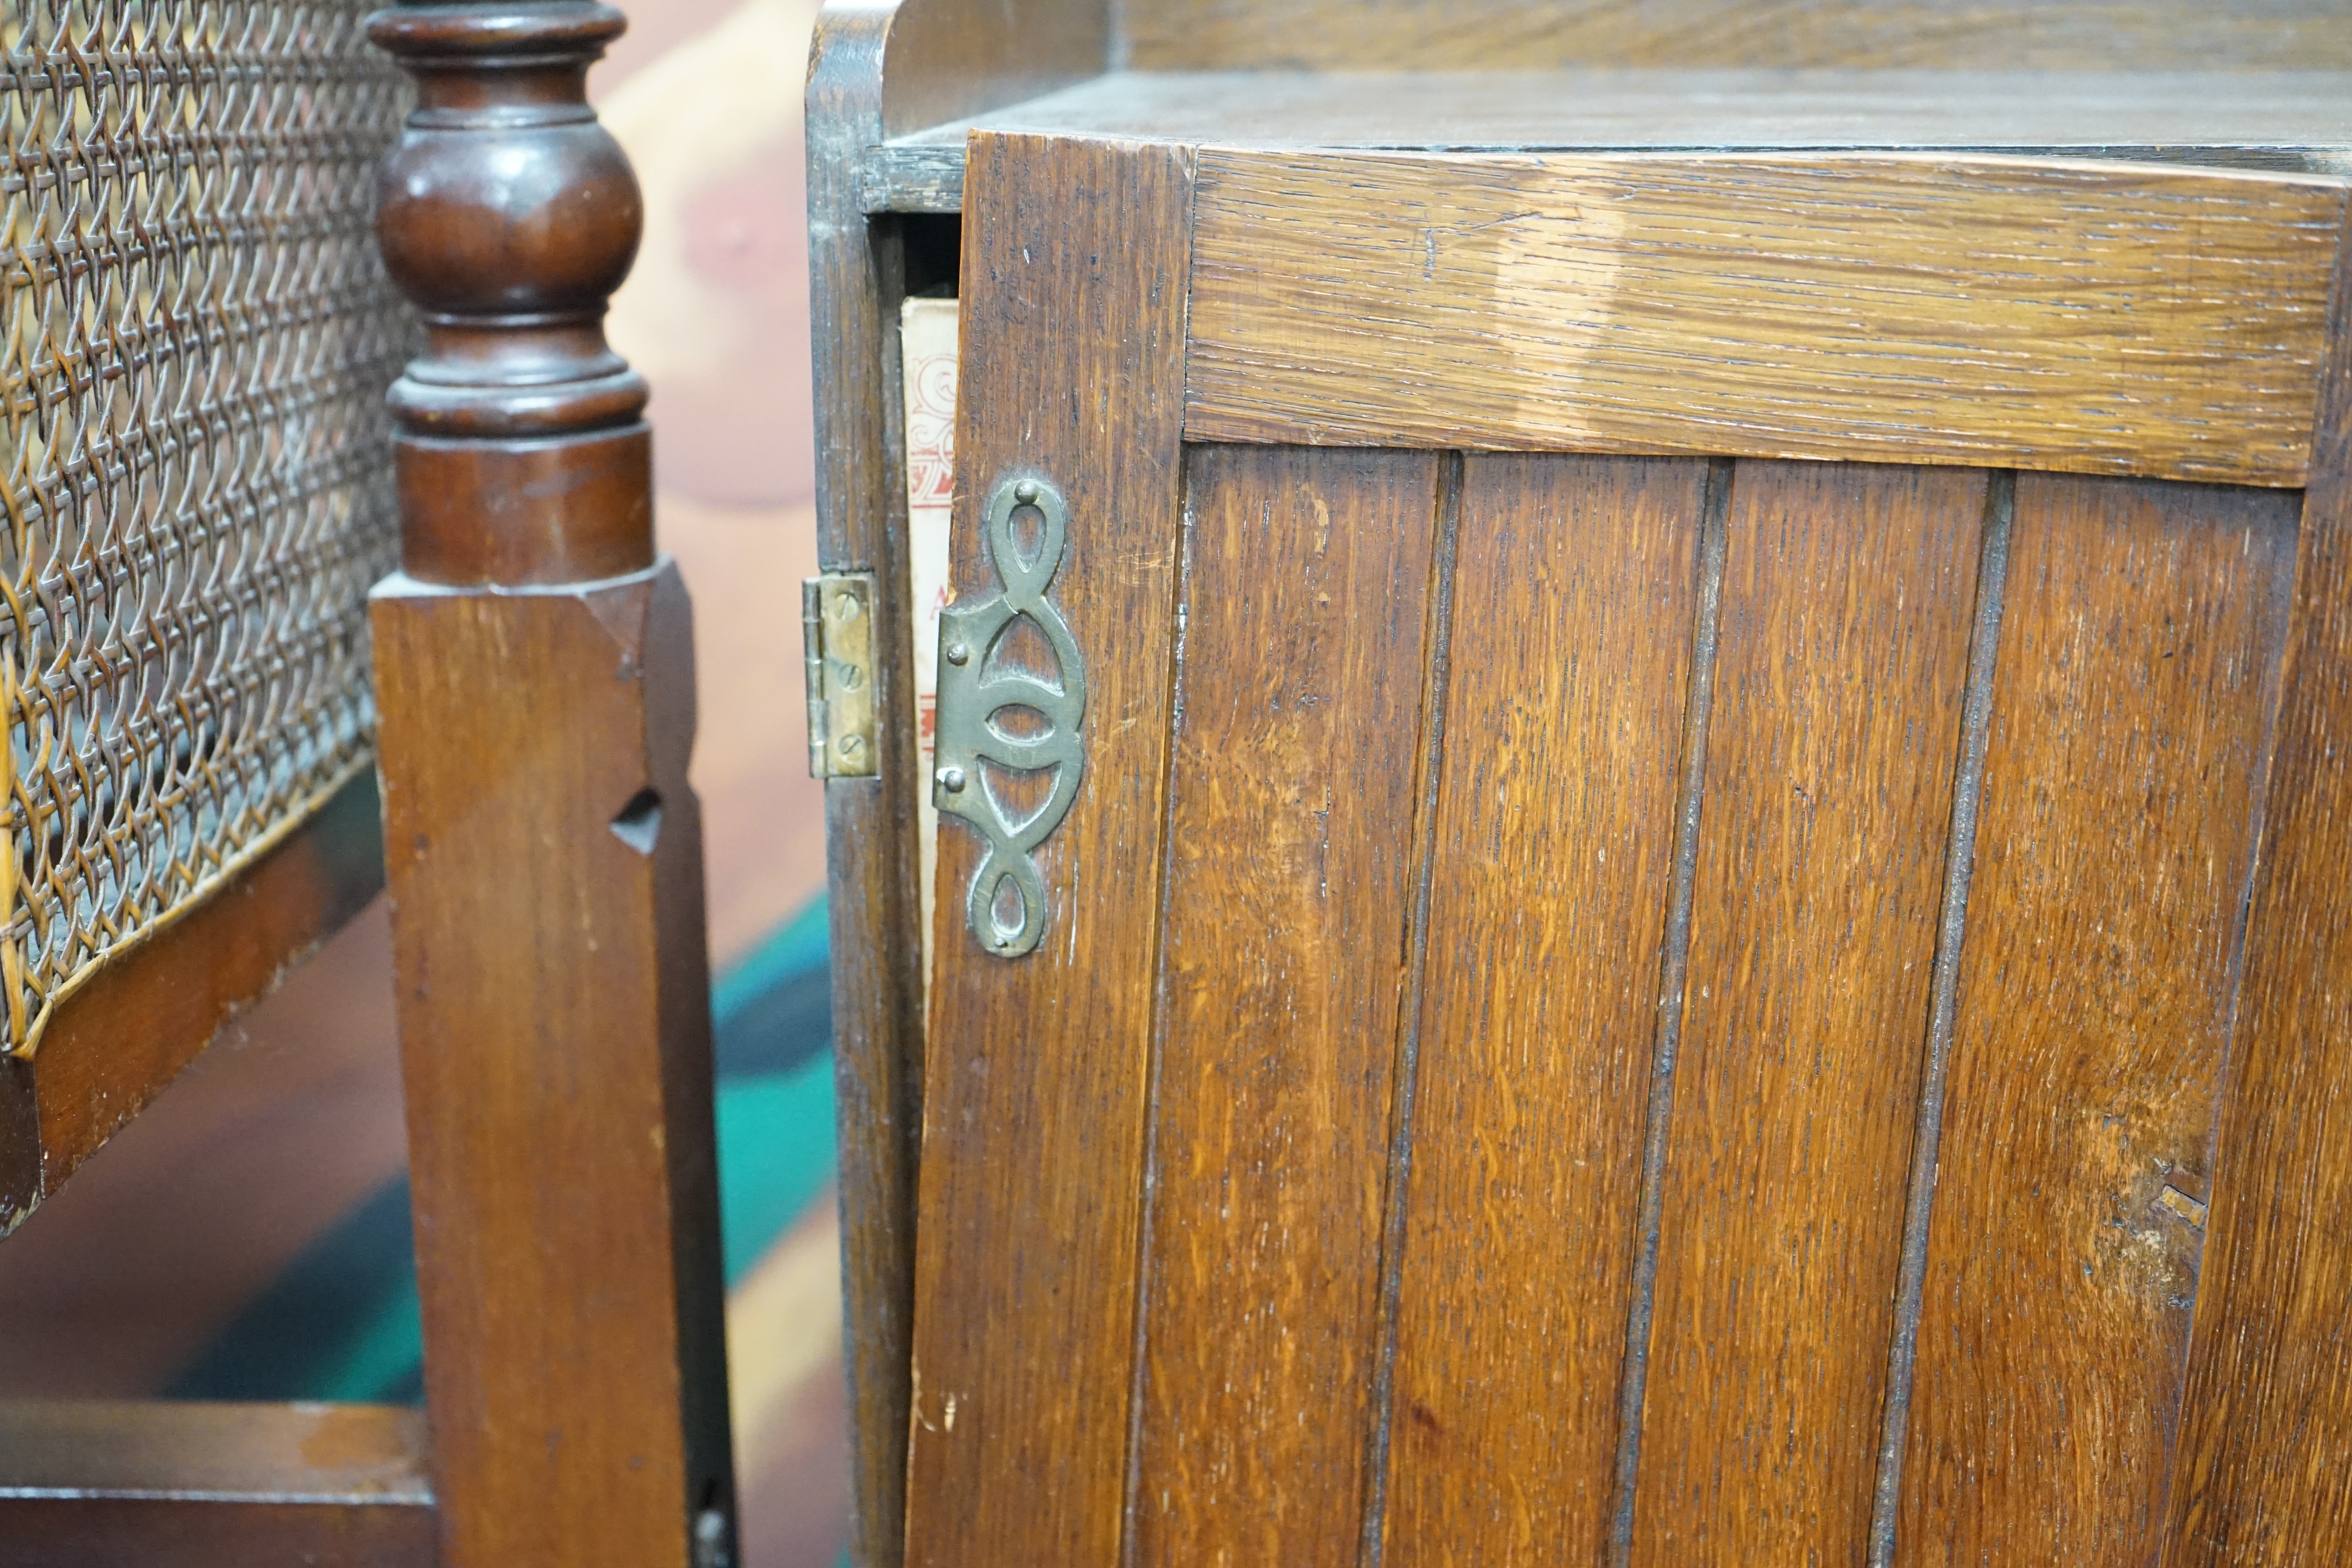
(542,847)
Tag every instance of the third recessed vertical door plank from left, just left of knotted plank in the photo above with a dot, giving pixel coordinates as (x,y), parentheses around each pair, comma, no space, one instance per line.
(1831,753)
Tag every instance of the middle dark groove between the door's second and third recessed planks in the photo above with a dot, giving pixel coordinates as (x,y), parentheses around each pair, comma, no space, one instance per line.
(1673,974)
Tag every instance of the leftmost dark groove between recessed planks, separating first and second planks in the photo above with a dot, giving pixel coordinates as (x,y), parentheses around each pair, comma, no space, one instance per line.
(1396,1193)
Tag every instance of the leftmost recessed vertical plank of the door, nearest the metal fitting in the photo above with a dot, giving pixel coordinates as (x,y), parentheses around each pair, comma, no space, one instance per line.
(1285,970)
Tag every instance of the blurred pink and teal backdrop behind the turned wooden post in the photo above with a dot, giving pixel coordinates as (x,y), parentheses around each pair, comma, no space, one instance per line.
(250,1238)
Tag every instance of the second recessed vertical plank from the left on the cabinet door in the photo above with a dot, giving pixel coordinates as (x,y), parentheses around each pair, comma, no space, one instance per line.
(1556,829)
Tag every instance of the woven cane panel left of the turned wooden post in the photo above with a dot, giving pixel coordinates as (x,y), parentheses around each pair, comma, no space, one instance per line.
(199,462)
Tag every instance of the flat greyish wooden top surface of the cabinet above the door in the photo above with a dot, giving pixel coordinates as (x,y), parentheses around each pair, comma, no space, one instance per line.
(2243,119)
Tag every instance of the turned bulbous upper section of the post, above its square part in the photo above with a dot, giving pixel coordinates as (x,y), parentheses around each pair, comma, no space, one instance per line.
(509,217)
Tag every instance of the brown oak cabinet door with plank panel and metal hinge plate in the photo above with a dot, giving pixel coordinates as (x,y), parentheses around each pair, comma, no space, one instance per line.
(1617,819)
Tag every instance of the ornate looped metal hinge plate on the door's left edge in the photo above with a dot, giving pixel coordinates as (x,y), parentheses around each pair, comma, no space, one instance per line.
(994,711)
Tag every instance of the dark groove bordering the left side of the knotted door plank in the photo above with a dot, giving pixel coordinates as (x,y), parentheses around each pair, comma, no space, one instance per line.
(1944,991)
